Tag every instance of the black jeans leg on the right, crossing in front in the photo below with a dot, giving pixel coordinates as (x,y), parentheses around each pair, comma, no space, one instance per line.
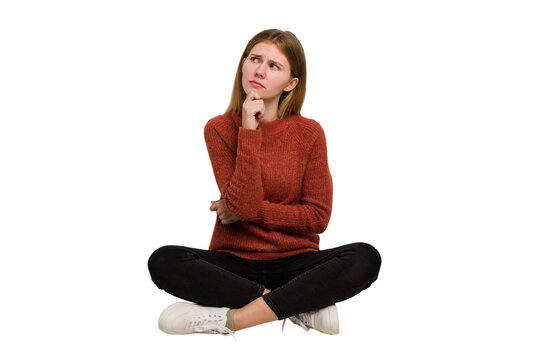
(330,276)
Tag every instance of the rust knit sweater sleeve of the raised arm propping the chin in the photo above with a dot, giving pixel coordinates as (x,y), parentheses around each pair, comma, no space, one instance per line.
(238,176)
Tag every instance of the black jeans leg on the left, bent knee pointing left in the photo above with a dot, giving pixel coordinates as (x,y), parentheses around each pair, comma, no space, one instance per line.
(210,278)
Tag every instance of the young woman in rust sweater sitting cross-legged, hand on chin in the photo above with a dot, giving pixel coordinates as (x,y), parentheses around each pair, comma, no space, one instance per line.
(270,164)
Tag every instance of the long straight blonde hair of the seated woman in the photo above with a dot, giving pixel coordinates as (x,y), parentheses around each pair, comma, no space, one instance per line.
(290,102)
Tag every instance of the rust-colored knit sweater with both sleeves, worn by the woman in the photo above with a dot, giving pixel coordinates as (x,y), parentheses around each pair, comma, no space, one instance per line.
(275,179)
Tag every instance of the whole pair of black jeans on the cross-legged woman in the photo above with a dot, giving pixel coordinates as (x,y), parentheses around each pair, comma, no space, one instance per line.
(299,283)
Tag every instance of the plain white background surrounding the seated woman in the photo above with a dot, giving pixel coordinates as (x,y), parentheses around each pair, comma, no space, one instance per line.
(431,113)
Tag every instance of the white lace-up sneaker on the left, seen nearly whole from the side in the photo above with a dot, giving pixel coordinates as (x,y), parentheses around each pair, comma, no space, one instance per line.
(186,318)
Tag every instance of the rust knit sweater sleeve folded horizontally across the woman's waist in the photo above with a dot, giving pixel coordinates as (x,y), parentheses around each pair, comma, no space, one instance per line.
(312,214)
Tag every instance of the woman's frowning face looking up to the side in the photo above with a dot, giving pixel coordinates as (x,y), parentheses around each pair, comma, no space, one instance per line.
(269,67)
